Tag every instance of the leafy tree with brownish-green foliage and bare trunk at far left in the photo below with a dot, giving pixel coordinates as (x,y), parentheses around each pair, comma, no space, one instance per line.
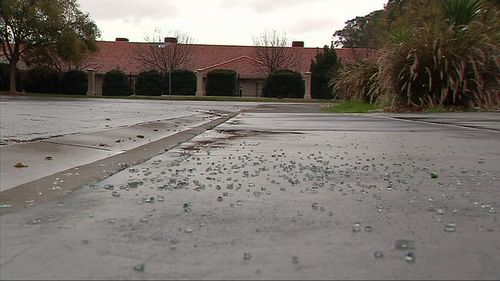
(27,27)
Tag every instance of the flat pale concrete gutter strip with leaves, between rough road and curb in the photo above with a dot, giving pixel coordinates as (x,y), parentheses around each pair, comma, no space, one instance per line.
(49,156)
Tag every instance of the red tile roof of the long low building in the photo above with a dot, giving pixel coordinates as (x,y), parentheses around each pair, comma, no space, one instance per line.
(123,55)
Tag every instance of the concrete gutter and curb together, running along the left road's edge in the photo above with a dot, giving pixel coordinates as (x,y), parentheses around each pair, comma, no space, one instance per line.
(80,160)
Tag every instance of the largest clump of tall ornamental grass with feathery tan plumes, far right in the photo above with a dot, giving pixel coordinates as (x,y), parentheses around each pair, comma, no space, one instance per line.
(442,68)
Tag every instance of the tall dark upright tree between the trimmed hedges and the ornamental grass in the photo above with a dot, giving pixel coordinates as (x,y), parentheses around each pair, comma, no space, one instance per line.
(323,69)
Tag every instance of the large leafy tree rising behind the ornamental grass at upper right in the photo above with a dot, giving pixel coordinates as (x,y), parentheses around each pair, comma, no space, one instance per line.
(400,18)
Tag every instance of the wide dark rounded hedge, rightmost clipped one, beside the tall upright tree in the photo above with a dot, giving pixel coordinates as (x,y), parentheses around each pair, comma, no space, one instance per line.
(284,84)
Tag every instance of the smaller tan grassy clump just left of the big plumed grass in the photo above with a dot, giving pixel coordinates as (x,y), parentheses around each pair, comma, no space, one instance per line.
(358,82)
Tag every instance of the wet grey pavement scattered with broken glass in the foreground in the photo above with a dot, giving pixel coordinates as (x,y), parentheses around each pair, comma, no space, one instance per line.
(280,196)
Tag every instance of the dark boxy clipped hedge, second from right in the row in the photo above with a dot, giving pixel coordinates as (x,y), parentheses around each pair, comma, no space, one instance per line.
(221,83)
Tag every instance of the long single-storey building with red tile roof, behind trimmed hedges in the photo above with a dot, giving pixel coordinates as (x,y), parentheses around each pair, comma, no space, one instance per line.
(123,55)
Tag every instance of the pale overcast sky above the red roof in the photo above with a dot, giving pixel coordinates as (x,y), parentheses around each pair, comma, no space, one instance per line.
(232,22)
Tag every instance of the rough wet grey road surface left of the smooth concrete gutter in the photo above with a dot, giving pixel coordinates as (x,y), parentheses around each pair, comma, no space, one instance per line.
(33,118)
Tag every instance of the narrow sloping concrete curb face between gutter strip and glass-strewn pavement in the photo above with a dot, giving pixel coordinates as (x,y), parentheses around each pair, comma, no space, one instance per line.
(62,183)
